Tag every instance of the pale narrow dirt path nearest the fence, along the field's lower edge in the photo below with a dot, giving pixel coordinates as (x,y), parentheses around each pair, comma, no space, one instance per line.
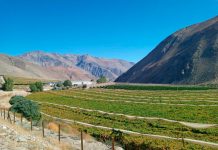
(204,143)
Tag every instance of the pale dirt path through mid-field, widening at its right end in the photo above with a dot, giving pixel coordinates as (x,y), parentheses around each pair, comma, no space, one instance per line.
(189,124)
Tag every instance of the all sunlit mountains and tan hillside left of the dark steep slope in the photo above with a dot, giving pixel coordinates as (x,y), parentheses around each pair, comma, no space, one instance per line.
(40,65)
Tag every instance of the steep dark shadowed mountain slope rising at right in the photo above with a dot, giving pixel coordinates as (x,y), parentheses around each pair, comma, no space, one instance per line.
(188,56)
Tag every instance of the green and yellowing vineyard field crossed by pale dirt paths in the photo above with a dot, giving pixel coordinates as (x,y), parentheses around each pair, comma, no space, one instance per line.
(159,112)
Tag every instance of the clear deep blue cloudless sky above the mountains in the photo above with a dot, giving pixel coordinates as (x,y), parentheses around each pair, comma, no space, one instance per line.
(126,29)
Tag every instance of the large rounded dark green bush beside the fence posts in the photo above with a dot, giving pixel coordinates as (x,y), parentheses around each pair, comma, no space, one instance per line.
(29,109)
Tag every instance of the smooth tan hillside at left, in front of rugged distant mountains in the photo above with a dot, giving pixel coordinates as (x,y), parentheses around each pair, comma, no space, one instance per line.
(13,66)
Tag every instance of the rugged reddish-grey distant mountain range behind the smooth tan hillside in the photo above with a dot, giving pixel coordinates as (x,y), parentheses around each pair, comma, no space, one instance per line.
(71,64)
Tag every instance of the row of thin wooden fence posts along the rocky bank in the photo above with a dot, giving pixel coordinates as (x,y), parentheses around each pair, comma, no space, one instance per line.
(13,117)
